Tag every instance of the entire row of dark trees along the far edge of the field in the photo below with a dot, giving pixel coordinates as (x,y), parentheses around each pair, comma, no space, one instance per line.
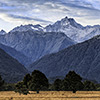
(38,81)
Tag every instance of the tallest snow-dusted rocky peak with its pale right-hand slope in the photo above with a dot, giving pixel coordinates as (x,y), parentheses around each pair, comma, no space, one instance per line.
(73,30)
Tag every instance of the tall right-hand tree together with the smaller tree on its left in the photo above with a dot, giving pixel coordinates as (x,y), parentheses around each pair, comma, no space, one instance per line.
(72,82)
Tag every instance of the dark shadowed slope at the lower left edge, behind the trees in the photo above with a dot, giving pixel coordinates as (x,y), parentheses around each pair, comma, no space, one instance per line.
(10,69)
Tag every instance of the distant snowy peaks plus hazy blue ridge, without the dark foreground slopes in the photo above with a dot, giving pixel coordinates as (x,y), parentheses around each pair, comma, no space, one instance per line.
(36,41)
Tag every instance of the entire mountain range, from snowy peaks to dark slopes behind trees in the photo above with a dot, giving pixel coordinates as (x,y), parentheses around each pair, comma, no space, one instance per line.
(52,49)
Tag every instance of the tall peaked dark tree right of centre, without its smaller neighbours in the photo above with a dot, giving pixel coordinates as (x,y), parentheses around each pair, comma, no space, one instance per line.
(72,82)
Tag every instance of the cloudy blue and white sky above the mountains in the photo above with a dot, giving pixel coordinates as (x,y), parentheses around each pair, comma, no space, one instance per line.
(16,12)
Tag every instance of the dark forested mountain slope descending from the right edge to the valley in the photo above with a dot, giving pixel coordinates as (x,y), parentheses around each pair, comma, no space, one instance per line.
(84,58)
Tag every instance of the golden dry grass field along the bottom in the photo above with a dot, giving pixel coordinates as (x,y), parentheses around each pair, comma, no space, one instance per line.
(52,95)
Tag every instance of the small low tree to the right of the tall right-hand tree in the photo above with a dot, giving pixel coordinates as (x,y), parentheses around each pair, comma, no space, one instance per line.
(89,86)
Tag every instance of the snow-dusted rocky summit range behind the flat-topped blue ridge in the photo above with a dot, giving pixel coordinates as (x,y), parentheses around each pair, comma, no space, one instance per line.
(69,26)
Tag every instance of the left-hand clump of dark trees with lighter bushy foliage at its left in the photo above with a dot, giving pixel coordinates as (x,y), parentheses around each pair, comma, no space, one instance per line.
(35,82)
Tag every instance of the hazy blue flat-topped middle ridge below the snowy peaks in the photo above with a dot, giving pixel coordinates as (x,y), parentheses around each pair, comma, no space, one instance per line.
(35,44)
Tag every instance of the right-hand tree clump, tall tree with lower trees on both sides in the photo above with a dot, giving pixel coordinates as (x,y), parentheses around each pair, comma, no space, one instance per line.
(73,82)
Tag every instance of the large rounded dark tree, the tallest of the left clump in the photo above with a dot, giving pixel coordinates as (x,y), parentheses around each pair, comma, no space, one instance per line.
(38,81)
